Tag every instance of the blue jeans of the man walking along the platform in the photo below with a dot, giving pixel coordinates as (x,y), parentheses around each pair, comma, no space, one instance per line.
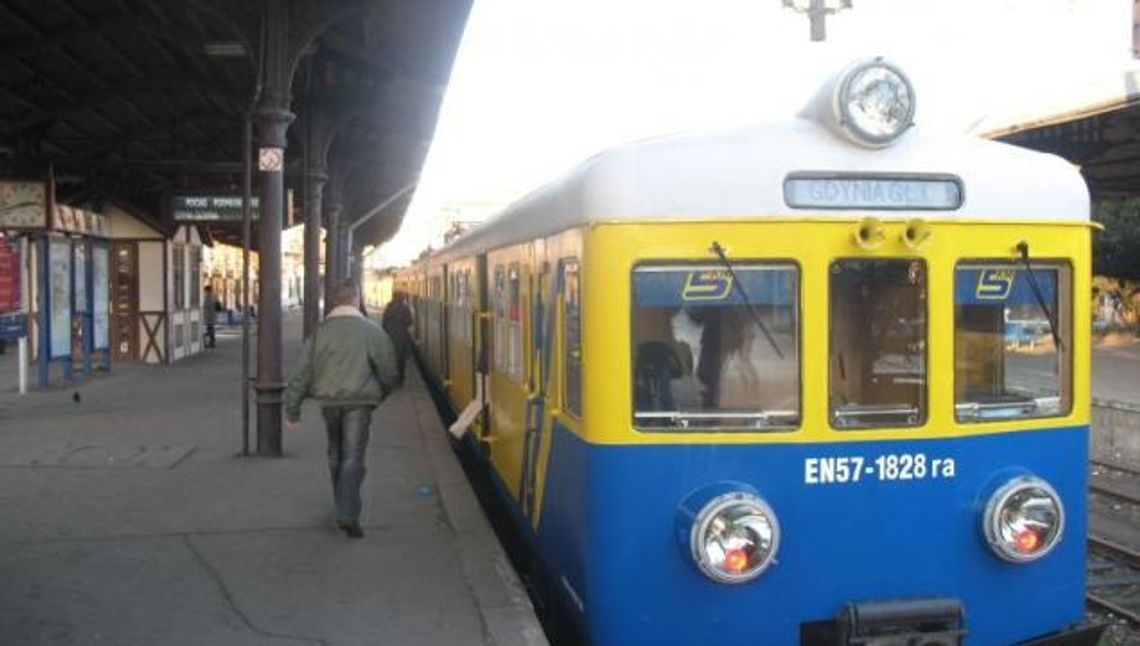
(348,439)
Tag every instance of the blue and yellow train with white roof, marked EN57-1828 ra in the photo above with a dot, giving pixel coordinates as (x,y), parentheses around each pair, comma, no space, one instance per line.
(821,382)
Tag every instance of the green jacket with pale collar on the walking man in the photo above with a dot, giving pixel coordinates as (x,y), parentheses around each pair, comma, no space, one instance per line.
(348,362)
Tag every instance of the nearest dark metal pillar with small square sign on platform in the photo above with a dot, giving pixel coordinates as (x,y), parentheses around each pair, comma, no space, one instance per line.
(273,120)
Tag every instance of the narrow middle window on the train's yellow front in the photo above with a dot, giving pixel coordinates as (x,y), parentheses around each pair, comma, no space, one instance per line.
(878,348)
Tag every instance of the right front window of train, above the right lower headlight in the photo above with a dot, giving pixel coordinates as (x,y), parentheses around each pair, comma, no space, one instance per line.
(1008,363)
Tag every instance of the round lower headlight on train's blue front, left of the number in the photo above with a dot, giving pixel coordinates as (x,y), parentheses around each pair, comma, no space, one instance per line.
(735,538)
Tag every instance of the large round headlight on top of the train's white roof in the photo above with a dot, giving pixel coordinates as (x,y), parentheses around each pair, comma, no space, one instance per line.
(874,103)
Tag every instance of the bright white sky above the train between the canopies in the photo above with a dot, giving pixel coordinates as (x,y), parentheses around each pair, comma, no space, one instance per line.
(541,85)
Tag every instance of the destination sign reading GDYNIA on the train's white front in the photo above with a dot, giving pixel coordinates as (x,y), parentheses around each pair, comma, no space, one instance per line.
(878,193)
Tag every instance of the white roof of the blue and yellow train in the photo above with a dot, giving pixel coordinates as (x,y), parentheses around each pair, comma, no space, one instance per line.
(740,175)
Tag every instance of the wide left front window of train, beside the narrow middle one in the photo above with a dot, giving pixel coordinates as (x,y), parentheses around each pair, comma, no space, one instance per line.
(716,347)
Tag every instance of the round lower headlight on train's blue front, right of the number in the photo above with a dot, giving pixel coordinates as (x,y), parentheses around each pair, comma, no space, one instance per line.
(1024,520)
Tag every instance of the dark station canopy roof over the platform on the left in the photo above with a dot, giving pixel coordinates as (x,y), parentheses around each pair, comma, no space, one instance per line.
(132,102)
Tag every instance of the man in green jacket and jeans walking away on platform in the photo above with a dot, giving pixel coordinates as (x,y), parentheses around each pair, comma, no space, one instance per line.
(348,366)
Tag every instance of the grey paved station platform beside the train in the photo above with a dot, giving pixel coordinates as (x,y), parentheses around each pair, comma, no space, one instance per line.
(128,518)
